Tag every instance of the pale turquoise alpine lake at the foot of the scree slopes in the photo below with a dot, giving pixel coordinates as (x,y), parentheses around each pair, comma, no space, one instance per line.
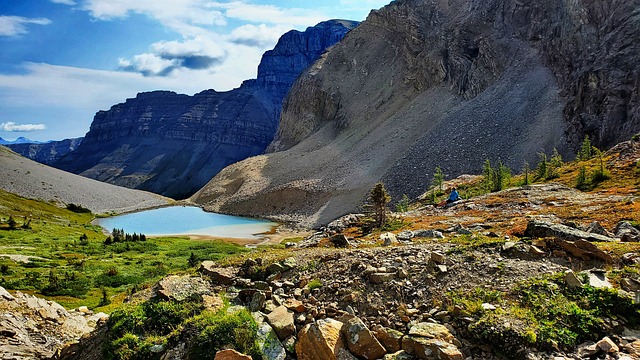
(186,220)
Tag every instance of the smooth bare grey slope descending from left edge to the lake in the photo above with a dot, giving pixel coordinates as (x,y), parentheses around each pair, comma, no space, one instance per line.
(30,179)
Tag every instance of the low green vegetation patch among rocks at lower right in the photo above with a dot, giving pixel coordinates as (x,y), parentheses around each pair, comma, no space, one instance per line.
(545,313)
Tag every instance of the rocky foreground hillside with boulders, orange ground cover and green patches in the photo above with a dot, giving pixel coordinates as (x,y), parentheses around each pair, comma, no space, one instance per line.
(541,271)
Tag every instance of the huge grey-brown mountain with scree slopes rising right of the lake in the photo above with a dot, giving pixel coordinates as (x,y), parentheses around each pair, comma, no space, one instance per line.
(426,83)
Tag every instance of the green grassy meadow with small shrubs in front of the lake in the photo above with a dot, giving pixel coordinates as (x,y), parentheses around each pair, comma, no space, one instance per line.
(73,271)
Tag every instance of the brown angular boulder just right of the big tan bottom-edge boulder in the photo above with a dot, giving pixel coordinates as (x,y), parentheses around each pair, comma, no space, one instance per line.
(361,341)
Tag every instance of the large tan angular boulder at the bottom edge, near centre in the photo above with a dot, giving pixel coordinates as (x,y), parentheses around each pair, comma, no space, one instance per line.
(320,341)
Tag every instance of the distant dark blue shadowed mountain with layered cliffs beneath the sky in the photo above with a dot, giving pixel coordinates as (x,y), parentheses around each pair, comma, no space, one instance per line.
(172,144)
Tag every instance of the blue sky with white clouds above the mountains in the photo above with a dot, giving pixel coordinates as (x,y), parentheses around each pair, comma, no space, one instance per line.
(63,60)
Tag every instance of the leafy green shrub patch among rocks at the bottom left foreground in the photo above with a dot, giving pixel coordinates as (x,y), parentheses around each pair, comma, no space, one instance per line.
(135,329)
